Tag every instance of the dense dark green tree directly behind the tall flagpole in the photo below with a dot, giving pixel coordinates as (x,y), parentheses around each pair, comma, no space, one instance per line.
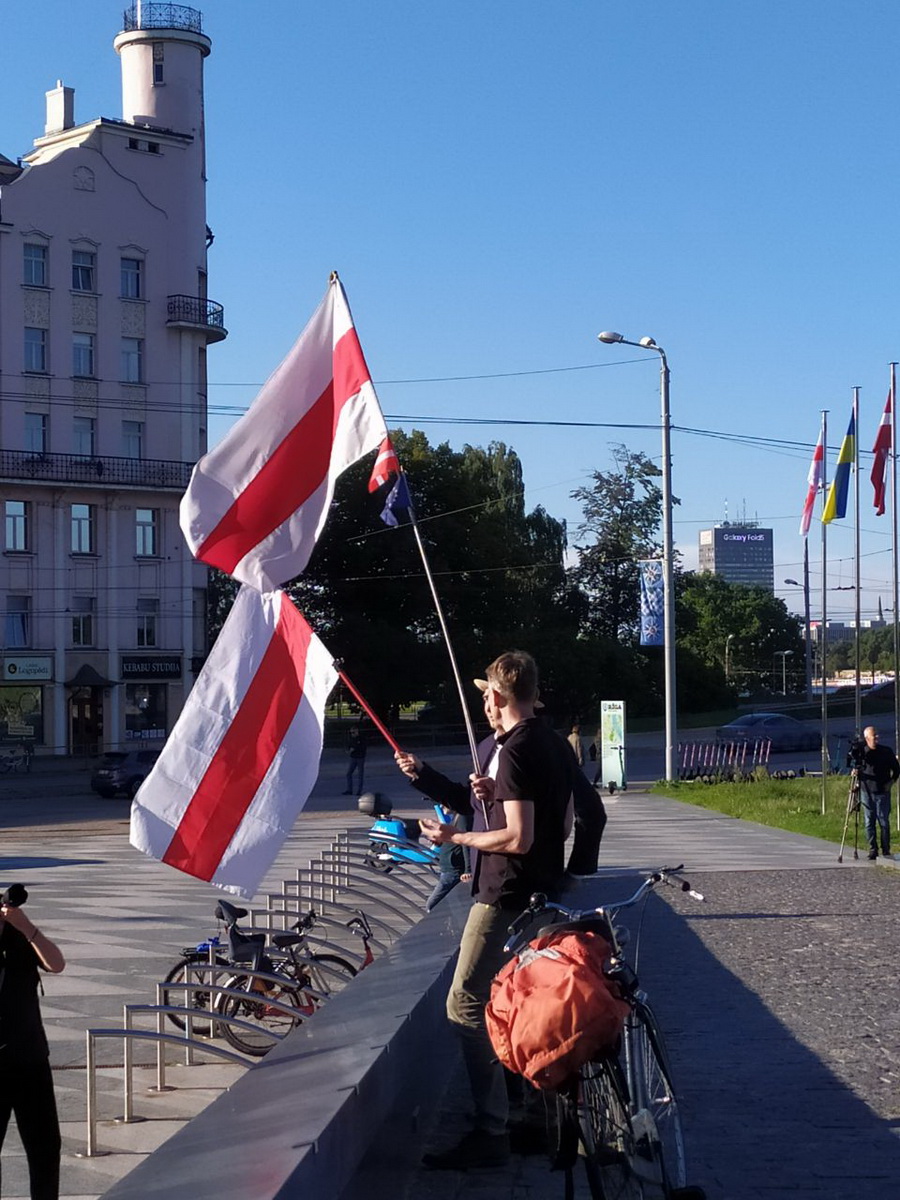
(499,571)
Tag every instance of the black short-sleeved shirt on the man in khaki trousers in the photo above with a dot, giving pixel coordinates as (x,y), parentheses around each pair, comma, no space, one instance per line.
(536,766)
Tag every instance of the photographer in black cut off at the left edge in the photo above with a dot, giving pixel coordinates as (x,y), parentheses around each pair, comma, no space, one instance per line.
(26,1077)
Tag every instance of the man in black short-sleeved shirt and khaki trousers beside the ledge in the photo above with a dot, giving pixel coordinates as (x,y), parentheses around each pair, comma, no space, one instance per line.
(527,799)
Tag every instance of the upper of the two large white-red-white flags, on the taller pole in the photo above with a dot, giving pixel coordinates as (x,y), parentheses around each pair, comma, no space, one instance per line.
(259,501)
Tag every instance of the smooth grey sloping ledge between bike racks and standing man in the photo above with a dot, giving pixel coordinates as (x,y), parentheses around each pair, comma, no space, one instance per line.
(299,1123)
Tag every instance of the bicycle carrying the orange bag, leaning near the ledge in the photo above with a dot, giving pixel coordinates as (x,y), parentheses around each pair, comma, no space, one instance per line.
(620,1114)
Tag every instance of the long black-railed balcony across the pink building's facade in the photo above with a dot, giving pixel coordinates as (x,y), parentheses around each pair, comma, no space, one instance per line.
(25,466)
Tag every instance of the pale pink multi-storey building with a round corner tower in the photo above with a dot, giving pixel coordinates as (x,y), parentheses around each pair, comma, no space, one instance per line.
(105,325)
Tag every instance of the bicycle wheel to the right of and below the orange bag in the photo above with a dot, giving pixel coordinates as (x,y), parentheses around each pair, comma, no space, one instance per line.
(655,1094)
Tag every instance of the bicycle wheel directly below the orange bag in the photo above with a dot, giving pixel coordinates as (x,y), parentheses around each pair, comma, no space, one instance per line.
(607,1135)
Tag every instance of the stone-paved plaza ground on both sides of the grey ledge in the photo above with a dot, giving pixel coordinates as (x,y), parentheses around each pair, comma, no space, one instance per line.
(777,997)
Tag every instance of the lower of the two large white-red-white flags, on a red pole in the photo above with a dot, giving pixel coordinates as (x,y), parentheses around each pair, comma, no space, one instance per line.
(244,755)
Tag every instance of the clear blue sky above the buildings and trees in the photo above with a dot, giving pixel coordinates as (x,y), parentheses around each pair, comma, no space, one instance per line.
(496,183)
